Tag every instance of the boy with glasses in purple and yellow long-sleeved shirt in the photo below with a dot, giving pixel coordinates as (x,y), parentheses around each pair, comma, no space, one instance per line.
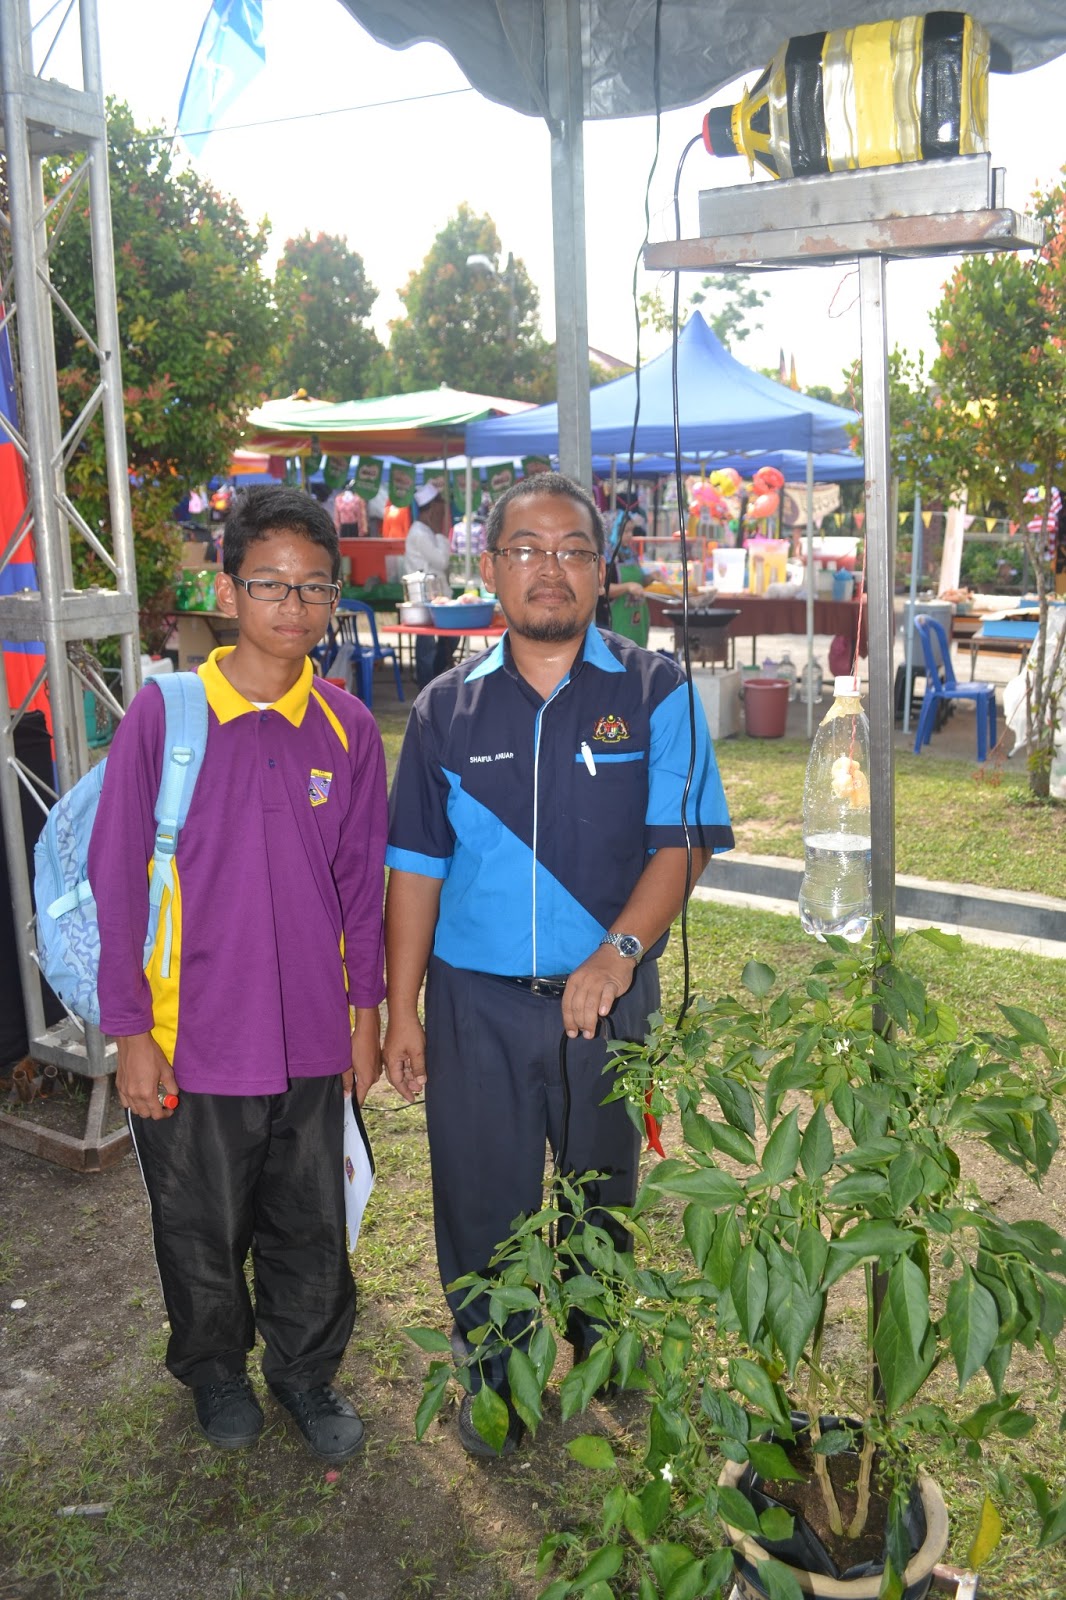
(233,1066)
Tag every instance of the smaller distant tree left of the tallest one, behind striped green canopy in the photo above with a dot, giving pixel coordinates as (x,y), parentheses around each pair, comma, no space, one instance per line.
(324,298)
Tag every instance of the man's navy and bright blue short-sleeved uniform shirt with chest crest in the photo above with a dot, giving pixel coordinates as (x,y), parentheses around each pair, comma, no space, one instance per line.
(540,815)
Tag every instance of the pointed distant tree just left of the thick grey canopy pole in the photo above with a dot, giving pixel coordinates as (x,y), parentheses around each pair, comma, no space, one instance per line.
(471,327)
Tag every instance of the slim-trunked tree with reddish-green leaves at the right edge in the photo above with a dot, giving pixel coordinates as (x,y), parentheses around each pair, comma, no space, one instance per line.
(1003,375)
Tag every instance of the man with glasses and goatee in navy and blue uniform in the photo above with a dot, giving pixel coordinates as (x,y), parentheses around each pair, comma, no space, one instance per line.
(539,857)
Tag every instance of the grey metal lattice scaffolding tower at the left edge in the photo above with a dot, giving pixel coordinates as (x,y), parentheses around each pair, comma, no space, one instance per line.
(44,119)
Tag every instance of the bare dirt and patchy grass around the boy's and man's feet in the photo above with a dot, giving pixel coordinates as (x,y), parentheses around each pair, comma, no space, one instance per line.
(89,1418)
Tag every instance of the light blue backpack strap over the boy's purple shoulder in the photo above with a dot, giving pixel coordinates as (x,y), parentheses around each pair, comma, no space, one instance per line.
(185,705)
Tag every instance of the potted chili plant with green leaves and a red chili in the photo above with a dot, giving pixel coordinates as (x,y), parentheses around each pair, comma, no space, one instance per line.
(817,1290)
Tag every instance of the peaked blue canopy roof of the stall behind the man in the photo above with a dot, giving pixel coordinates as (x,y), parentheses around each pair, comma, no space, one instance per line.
(723,406)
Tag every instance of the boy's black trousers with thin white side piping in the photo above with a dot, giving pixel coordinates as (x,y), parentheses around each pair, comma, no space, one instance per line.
(230,1174)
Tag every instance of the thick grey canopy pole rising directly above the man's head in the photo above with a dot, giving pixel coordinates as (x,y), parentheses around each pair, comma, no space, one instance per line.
(566,98)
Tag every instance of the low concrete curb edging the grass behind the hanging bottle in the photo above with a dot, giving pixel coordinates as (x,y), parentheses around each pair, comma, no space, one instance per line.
(995,918)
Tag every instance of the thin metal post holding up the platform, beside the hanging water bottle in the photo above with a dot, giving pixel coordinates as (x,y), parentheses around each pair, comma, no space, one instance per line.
(876,454)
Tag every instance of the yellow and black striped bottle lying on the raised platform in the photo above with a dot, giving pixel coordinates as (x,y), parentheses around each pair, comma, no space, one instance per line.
(913,90)
